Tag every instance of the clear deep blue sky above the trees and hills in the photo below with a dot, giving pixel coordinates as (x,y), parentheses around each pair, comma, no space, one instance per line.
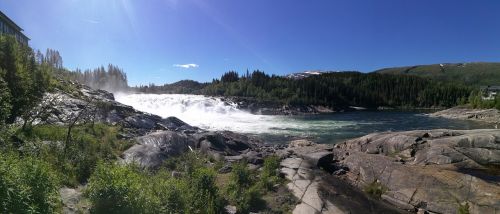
(163,41)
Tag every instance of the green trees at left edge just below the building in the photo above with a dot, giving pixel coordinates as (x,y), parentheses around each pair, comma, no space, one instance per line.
(24,77)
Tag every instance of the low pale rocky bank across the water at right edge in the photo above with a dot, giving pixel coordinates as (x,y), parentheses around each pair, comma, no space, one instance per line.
(466,113)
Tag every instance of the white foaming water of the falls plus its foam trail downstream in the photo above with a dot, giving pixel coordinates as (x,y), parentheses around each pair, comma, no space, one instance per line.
(214,114)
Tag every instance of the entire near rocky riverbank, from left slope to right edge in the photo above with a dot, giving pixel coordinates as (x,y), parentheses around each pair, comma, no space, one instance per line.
(437,171)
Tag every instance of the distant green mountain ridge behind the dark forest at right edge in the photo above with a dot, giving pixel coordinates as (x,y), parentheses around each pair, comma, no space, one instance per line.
(472,74)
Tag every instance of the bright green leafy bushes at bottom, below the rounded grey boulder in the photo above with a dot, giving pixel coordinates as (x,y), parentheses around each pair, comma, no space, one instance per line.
(126,189)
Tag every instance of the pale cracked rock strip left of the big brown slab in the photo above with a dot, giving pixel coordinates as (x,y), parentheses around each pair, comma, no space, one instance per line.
(317,190)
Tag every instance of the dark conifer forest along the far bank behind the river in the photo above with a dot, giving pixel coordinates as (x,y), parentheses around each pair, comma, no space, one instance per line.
(341,89)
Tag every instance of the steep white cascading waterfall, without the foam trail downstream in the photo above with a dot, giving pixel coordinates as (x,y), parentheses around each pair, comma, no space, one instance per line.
(205,112)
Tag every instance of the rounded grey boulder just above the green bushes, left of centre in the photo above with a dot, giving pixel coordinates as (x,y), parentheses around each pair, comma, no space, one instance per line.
(152,149)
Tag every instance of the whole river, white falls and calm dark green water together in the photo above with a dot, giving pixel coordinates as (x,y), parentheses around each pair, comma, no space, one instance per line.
(214,114)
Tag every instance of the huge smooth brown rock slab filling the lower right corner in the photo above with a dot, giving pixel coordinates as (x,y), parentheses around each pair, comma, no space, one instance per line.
(433,170)
